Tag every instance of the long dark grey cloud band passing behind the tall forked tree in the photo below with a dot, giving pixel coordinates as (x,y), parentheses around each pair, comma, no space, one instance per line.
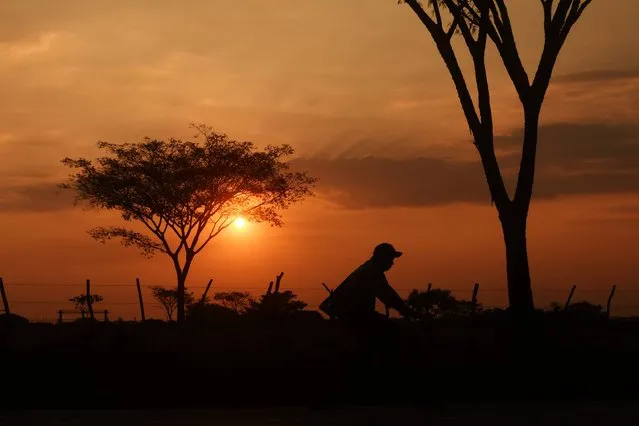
(573,159)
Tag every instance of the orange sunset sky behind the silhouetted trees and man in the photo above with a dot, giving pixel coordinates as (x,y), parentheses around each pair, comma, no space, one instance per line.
(360,92)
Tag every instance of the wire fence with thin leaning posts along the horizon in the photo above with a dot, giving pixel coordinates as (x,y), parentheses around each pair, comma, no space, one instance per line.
(25,297)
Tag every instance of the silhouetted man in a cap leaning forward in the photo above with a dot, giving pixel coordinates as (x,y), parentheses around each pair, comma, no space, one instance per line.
(353,301)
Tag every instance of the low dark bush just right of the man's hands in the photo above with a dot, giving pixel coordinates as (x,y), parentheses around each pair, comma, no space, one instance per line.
(439,303)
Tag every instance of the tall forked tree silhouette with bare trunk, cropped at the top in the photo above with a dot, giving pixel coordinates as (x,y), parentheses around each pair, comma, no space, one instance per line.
(480,22)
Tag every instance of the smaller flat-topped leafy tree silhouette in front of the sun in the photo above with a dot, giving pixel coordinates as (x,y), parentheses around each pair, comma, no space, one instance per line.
(182,194)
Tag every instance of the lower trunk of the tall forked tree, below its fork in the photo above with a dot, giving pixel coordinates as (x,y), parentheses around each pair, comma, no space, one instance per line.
(520,297)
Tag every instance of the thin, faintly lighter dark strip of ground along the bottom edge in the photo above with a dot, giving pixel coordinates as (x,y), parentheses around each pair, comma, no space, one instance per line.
(582,414)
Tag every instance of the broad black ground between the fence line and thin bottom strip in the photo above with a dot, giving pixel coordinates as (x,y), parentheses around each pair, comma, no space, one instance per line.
(469,369)
